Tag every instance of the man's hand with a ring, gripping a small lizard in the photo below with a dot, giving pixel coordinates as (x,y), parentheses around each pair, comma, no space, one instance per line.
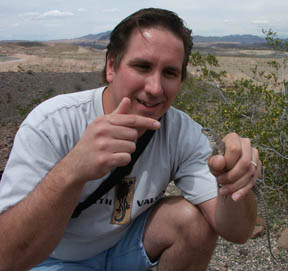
(234,171)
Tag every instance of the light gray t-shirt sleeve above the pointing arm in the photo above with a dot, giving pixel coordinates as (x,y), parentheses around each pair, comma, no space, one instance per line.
(32,156)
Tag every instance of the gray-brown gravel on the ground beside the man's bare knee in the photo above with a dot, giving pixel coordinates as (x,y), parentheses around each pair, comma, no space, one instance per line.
(254,254)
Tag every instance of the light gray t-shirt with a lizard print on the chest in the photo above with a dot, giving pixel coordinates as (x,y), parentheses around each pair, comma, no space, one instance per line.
(176,152)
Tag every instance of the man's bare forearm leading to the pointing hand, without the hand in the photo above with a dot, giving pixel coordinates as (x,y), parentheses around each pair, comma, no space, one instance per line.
(31,229)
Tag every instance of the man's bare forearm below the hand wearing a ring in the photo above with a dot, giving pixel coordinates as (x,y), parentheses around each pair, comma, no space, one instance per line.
(235,221)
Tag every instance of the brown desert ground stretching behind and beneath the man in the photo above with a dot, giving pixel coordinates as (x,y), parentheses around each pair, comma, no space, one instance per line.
(31,73)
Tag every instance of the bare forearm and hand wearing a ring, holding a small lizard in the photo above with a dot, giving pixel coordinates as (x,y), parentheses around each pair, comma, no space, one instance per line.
(232,214)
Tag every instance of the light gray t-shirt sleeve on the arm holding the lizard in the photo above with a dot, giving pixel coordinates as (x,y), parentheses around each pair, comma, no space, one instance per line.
(193,176)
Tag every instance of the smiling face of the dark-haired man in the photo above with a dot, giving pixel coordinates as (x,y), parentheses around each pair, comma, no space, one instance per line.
(149,73)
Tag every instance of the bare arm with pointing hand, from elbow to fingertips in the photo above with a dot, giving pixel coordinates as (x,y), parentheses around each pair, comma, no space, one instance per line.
(32,228)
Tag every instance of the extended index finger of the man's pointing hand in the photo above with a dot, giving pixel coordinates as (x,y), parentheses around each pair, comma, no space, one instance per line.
(134,121)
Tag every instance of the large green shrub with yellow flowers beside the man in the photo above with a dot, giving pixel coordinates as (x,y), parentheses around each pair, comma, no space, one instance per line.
(251,108)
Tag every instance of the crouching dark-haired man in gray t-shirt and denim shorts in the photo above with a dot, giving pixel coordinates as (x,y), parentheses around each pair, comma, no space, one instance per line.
(69,145)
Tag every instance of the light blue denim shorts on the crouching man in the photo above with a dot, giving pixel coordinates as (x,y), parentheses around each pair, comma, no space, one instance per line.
(127,254)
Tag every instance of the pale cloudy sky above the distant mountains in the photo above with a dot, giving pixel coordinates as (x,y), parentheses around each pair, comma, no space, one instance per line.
(60,19)
